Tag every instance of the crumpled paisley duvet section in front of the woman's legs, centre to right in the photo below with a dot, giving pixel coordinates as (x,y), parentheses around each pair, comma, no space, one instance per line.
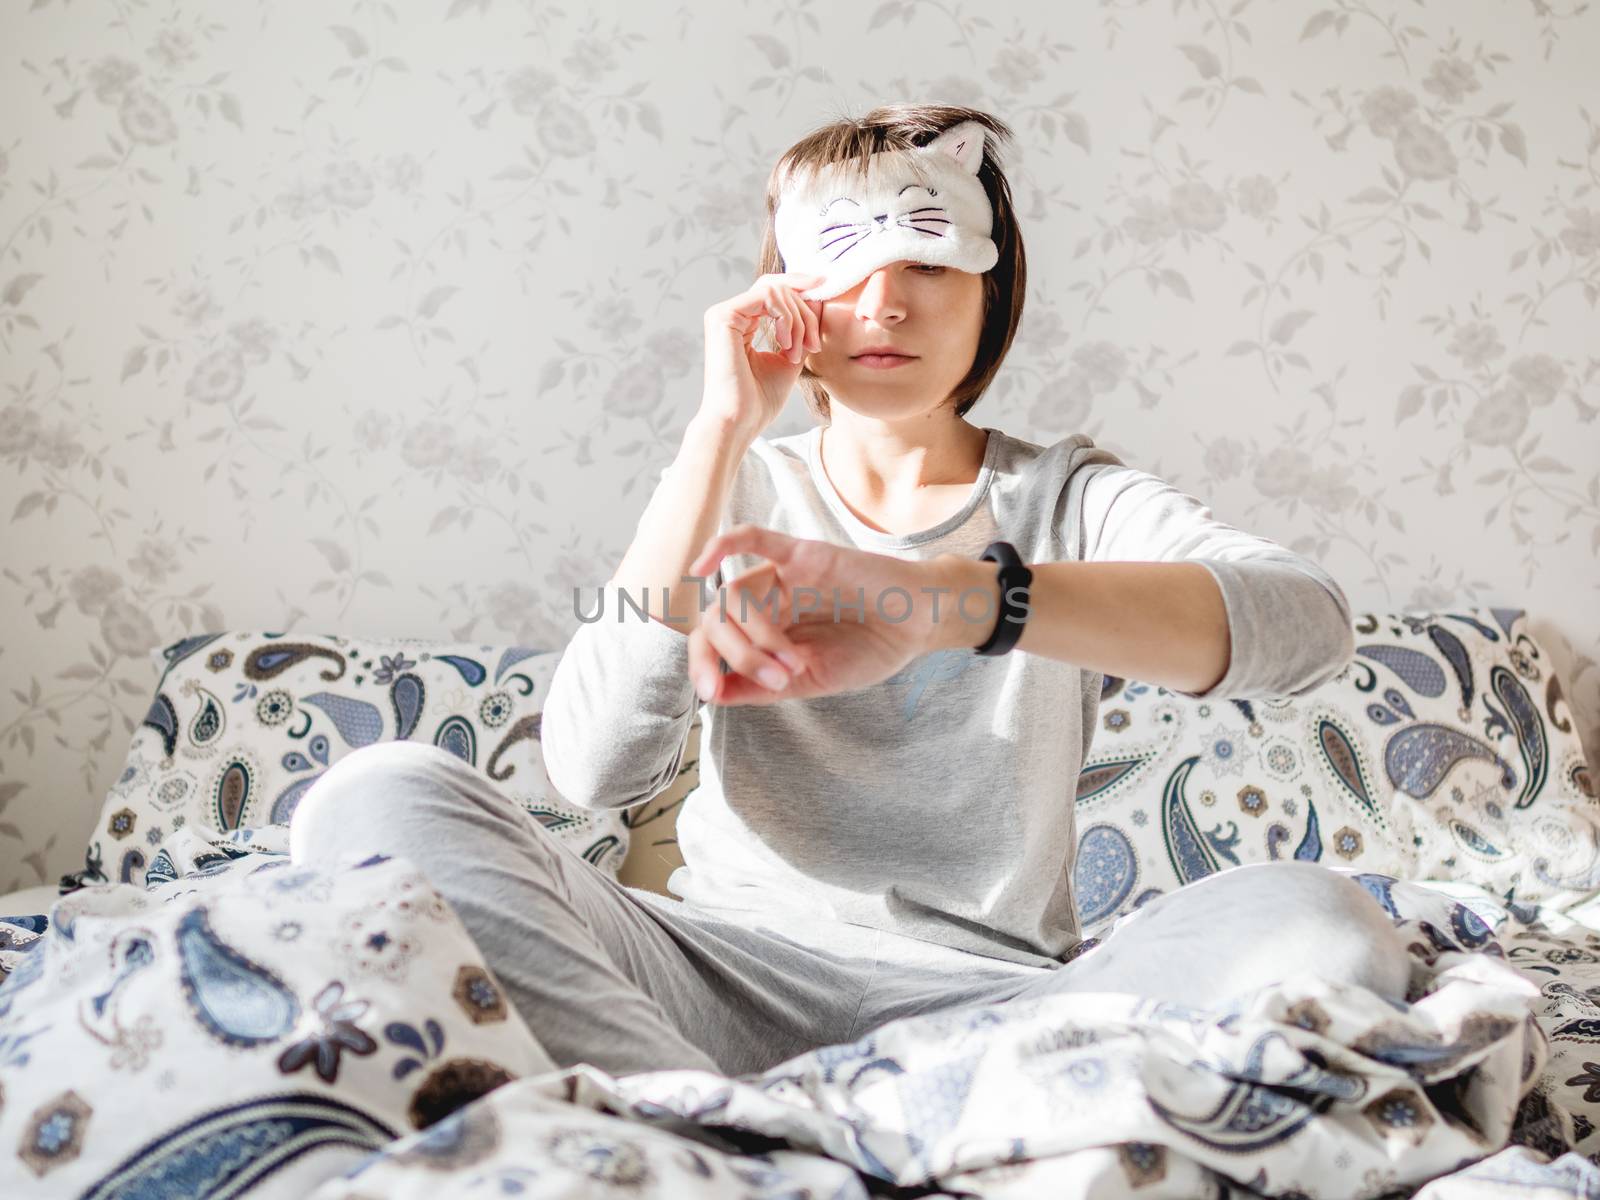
(1303,1089)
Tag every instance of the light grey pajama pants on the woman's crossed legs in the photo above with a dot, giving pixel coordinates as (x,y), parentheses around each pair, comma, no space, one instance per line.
(630,980)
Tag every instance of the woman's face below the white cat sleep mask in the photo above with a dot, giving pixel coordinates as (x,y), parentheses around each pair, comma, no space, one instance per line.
(930,313)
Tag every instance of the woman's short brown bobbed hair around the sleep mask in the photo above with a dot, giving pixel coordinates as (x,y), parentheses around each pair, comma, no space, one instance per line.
(897,129)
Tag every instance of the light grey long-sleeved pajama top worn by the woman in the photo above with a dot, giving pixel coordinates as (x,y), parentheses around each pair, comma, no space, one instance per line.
(940,802)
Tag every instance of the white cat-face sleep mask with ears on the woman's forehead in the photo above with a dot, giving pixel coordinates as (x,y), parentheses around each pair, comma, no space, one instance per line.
(833,223)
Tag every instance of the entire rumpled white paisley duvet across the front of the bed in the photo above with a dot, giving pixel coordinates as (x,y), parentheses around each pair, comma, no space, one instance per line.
(206,1039)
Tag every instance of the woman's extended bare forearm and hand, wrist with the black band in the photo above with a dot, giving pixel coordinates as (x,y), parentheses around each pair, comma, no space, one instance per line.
(1250,626)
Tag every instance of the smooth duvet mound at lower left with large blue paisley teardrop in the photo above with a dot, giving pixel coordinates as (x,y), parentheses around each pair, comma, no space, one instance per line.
(254,1028)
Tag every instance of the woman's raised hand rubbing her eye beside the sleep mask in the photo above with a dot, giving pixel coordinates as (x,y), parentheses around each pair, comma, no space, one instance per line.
(751,386)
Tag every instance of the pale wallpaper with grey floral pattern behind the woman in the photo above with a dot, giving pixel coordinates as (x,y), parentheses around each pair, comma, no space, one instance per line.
(383,319)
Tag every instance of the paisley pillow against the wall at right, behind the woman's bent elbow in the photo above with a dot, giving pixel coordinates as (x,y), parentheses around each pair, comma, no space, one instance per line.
(1444,751)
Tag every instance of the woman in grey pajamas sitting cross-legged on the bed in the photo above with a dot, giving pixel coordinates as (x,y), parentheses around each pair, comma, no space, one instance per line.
(886,826)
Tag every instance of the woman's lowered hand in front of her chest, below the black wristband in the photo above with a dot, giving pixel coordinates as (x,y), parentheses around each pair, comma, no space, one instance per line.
(865,646)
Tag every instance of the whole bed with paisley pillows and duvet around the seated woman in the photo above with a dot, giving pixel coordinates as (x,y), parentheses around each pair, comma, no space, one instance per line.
(198,1015)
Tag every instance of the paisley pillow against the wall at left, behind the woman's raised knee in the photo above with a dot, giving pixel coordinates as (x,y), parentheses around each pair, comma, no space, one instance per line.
(244,724)
